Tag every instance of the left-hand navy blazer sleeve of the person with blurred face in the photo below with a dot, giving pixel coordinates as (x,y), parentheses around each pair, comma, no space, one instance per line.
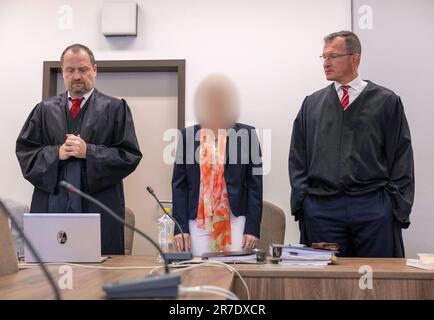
(180,186)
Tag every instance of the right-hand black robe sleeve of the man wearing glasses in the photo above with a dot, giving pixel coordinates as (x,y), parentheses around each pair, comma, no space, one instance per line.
(399,154)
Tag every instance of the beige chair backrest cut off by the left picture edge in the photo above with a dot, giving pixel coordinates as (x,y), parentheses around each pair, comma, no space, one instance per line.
(8,258)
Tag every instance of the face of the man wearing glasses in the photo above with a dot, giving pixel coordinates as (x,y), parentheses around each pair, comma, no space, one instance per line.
(339,65)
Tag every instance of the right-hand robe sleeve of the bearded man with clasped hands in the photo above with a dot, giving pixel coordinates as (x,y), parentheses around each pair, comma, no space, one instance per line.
(107,165)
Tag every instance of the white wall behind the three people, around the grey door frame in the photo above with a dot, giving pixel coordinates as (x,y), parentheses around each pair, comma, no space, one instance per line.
(270,48)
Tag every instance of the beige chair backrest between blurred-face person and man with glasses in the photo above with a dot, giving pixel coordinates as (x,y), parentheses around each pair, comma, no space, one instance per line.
(272,226)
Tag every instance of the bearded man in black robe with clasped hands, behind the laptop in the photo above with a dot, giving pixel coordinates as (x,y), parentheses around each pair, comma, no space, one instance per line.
(86,138)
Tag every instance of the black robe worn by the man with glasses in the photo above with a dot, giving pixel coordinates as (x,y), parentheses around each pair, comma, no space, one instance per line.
(357,151)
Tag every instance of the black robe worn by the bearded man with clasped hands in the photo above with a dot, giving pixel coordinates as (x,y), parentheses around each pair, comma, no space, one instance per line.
(106,125)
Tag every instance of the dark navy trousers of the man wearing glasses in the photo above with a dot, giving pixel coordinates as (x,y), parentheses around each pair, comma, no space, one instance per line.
(363,226)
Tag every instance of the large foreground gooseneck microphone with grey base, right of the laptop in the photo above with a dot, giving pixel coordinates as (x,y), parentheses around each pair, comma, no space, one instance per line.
(163,286)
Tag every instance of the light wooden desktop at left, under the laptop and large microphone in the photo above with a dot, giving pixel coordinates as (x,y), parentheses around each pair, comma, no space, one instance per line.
(30,283)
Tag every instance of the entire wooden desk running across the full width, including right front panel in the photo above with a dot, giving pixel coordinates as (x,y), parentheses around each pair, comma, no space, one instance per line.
(392,279)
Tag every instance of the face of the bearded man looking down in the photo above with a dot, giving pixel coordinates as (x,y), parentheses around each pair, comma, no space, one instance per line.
(78,73)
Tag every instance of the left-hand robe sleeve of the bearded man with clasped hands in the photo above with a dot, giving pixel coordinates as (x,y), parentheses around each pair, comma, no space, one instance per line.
(39,162)
